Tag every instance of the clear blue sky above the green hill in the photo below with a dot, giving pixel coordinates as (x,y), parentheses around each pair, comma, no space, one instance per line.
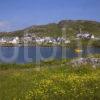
(19,14)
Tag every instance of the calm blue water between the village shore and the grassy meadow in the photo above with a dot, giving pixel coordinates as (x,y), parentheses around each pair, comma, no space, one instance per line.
(36,54)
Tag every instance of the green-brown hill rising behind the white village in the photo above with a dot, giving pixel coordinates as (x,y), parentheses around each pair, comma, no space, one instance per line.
(55,29)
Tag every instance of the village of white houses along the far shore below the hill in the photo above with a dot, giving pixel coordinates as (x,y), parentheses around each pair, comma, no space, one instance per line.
(28,38)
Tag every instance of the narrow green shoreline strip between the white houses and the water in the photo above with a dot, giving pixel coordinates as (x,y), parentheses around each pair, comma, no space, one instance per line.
(72,44)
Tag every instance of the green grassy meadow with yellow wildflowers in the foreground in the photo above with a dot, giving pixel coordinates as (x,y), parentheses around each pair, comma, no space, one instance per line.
(52,82)
